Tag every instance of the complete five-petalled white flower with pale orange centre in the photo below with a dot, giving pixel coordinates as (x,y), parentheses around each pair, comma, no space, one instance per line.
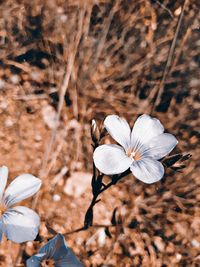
(140,148)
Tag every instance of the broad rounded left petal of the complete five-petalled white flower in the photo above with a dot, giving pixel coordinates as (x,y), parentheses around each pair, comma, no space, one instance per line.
(111,159)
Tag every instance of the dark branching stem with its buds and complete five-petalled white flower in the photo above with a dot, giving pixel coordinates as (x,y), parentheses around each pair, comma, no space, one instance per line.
(140,150)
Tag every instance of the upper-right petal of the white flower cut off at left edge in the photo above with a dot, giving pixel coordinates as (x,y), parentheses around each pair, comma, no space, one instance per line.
(22,187)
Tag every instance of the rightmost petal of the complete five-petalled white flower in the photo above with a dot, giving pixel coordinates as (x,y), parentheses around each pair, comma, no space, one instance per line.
(159,146)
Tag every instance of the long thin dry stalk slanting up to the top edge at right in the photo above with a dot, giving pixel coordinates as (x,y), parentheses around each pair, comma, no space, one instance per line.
(160,89)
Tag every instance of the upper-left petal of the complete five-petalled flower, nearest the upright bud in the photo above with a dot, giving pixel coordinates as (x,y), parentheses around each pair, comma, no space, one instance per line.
(119,129)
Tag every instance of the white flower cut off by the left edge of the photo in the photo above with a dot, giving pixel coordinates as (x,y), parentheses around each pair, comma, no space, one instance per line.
(19,224)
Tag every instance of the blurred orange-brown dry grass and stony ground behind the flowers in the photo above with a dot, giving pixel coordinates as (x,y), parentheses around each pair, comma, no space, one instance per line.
(64,63)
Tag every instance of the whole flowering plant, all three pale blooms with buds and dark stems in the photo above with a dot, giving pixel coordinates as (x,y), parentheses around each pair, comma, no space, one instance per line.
(138,151)
